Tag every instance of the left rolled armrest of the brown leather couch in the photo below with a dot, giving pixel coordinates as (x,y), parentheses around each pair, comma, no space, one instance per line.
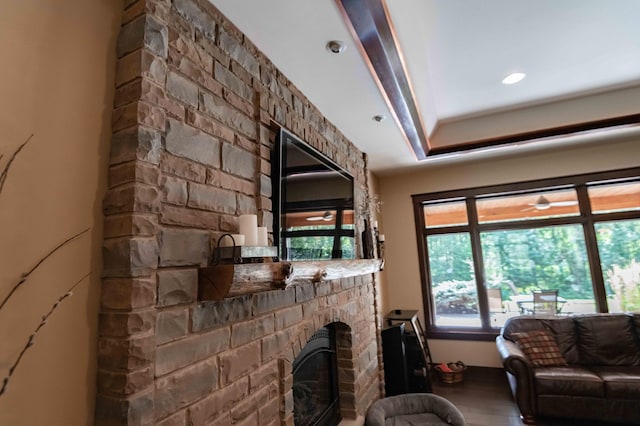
(520,374)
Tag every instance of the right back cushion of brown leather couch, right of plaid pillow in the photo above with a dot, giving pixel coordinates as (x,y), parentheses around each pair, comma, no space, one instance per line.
(607,339)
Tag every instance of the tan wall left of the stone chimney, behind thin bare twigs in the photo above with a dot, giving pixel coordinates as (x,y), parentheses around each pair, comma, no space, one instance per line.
(57,83)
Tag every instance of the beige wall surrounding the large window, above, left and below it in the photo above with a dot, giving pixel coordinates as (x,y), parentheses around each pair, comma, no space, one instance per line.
(402,275)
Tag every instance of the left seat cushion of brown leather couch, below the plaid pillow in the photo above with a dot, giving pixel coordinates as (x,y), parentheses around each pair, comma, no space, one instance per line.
(571,381)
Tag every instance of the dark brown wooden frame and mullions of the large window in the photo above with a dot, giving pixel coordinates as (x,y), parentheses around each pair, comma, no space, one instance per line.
(586,219)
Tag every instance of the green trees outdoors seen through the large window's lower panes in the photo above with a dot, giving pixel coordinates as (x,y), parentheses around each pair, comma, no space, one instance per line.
(522,260)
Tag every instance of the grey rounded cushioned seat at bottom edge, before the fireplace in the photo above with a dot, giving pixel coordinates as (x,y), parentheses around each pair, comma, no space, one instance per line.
(414,409)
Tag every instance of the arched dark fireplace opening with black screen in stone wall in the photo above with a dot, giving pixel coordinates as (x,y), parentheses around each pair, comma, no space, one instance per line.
(316,400)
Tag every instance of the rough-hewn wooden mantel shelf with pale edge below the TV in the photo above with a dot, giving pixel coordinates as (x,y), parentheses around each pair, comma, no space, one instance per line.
(229,280)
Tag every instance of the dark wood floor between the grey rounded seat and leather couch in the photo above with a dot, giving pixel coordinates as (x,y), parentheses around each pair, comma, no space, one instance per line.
(484,399)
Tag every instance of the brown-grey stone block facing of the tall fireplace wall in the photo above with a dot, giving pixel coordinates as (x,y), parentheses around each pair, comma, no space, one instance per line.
(193,128)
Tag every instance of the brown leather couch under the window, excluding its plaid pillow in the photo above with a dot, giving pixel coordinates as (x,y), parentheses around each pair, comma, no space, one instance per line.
(601,380)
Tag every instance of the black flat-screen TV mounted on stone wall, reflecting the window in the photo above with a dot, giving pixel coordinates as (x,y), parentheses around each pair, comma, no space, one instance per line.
(313,203)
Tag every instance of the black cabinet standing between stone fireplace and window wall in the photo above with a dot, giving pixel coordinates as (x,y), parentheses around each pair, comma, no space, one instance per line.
(405,354)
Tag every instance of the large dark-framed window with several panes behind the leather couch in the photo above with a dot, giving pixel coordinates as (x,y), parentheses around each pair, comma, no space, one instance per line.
(485,251)
